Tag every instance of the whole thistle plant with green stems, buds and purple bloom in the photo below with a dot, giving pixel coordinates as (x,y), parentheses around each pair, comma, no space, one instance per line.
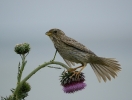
(70,84)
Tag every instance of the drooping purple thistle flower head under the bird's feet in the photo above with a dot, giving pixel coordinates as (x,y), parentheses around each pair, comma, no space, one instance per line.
(72,84)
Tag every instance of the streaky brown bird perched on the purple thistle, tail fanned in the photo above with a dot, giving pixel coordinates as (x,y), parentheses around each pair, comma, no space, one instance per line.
(74,52)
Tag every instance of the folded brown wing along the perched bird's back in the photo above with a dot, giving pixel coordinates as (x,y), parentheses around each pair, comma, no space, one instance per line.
(73,43)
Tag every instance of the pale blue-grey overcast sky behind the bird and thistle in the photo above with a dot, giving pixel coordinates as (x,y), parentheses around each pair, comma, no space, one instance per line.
(104,26)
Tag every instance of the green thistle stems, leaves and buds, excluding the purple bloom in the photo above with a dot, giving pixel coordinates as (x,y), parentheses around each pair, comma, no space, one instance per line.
(22,89)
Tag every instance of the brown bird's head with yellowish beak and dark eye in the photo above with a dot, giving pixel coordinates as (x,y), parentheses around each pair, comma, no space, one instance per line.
(55,33)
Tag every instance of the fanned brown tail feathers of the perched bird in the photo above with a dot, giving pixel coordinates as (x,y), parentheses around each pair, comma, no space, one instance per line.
(104,67)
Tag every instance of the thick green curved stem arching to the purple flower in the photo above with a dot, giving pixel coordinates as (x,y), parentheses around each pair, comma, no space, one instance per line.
(37,69)
